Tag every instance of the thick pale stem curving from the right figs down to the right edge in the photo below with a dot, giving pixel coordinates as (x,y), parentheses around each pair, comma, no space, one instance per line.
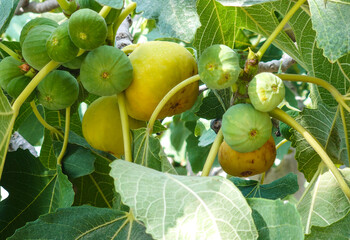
(284,117)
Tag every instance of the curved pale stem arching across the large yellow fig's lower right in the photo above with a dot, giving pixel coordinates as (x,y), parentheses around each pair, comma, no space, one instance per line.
(166,98)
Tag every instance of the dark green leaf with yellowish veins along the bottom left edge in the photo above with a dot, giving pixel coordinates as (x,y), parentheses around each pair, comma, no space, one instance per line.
(84,222)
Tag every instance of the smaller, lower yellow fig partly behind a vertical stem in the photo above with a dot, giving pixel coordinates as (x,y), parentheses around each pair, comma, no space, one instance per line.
(102,127)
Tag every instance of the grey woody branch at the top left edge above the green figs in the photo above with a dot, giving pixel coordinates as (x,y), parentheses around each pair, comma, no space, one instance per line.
(25,6)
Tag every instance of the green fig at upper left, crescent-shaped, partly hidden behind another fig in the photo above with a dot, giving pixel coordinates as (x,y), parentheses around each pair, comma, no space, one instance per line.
(34,46)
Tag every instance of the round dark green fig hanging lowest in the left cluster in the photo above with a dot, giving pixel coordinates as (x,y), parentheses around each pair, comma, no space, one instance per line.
(58,90)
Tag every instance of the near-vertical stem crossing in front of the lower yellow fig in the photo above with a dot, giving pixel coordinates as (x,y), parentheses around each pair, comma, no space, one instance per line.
(125,126)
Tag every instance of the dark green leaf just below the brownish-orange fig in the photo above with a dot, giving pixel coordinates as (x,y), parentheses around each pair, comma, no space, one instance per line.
(279,188)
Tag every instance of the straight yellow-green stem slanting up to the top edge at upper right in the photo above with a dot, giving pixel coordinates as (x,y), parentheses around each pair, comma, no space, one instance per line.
(279,28)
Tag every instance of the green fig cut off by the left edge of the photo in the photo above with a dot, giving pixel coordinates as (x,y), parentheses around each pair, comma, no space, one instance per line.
(9,69)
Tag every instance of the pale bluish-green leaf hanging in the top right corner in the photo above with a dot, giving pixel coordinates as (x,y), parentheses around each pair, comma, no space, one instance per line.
(331,21)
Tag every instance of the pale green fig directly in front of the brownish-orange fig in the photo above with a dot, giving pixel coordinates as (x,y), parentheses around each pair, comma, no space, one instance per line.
(244,128)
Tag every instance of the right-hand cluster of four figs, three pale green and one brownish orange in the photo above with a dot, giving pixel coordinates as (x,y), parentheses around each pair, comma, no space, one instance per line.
(248,146)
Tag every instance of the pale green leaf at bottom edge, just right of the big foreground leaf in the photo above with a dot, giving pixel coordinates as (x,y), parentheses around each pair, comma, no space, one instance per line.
(276,219)
